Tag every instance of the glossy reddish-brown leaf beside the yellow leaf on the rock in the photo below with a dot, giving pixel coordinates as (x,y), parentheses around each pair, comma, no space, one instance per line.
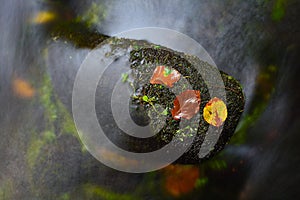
(186,104)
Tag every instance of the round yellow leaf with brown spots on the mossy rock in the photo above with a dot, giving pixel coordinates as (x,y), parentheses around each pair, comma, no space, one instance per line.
(215,112)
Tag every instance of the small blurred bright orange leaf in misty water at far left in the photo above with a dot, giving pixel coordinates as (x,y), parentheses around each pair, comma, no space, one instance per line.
(22,88)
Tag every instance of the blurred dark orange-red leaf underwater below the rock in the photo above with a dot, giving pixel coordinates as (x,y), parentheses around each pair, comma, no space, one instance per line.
(180,179)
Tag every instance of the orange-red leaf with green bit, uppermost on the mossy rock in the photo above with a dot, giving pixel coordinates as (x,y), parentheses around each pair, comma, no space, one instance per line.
(164,75)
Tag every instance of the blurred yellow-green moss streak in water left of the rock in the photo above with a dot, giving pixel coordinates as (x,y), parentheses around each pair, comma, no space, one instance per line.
(57,120)
